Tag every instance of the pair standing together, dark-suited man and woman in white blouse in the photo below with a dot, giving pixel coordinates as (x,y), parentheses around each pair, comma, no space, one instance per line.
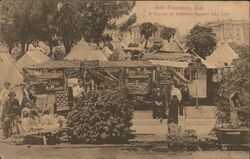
(165,106)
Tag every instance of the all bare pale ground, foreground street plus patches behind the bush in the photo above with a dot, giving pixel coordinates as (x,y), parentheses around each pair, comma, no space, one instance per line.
(146,130)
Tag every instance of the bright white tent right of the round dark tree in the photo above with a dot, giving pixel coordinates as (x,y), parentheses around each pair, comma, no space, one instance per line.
(222,56)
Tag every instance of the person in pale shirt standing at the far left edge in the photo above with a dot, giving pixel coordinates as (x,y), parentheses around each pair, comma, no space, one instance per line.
(3,97)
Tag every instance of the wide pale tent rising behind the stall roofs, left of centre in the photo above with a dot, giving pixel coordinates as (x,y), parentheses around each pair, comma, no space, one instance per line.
(83,51)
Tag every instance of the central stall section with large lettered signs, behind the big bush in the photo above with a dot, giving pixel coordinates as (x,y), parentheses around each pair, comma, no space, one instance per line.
(136,75)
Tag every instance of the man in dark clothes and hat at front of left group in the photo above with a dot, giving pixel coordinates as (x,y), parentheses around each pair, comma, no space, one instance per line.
(11,110)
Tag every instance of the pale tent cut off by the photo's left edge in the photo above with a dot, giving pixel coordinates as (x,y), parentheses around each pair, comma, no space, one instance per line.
(8,70)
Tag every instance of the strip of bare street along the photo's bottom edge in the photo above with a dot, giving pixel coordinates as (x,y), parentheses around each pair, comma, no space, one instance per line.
(78,152)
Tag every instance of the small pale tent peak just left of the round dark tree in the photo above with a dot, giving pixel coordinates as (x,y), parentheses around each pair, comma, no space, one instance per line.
(172,47)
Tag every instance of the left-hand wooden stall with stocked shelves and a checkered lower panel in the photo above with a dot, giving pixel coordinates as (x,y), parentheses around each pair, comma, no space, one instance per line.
(50,83)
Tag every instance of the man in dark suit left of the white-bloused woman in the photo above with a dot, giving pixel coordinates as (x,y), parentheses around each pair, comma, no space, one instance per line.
(159,102)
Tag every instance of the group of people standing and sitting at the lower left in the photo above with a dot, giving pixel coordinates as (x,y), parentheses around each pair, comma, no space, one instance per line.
(18,113)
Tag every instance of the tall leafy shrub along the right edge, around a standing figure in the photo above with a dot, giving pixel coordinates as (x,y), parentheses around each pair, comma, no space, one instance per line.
(235,80)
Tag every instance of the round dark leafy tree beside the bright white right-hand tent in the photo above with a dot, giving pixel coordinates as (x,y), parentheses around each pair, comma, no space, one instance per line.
(201,40)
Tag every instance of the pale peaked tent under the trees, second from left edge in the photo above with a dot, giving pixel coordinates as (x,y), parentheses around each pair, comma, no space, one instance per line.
(32,57)
